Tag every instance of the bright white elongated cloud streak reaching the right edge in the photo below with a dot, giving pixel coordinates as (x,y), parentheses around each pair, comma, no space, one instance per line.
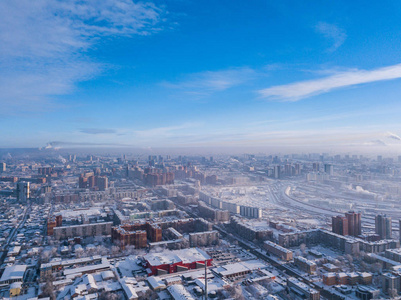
(299,90)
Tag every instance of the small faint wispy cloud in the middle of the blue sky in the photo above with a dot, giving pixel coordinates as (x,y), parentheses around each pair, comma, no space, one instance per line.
(208,82)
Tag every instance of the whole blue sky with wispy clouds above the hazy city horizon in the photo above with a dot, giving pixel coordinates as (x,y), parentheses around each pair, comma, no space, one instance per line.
(178,73)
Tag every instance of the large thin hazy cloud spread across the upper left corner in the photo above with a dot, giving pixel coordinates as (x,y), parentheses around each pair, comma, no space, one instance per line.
(43,44)
